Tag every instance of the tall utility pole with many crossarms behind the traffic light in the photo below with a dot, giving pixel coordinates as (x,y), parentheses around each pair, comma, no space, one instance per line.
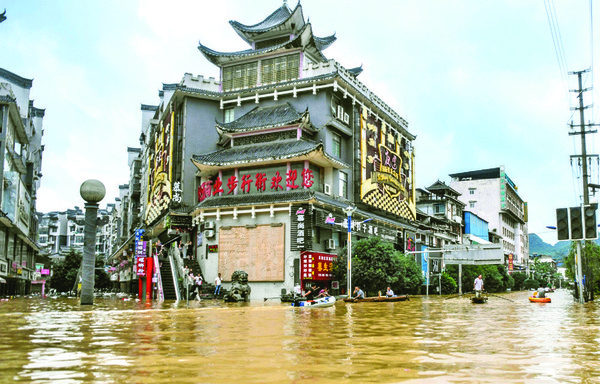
(585,177)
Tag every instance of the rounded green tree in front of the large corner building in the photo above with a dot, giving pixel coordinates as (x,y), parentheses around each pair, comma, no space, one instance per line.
(377,265)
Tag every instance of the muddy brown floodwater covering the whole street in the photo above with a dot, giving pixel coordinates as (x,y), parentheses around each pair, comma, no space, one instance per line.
(424,340)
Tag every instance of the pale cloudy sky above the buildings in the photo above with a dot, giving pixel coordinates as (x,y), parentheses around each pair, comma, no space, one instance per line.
(478,81)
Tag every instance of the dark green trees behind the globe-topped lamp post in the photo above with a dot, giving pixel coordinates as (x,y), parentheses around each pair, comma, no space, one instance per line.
(64,274)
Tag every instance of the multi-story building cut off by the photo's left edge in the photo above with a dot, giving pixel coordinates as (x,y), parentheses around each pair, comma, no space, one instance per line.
(20,171)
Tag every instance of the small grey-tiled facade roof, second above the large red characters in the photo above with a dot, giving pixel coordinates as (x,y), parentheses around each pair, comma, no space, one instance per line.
(265,117)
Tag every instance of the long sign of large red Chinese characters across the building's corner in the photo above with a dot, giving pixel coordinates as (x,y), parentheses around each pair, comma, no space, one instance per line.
(259,183)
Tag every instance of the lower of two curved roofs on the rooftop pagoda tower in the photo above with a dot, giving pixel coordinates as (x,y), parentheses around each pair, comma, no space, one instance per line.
(304,39)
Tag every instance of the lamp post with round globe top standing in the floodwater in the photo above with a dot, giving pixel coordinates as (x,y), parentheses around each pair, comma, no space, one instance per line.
(92,191)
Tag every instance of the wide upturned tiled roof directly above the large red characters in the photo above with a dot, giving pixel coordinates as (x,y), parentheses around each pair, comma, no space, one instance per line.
(265,154)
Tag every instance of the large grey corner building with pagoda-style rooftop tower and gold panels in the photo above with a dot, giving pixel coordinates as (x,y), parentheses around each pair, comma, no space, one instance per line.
(261,168)
